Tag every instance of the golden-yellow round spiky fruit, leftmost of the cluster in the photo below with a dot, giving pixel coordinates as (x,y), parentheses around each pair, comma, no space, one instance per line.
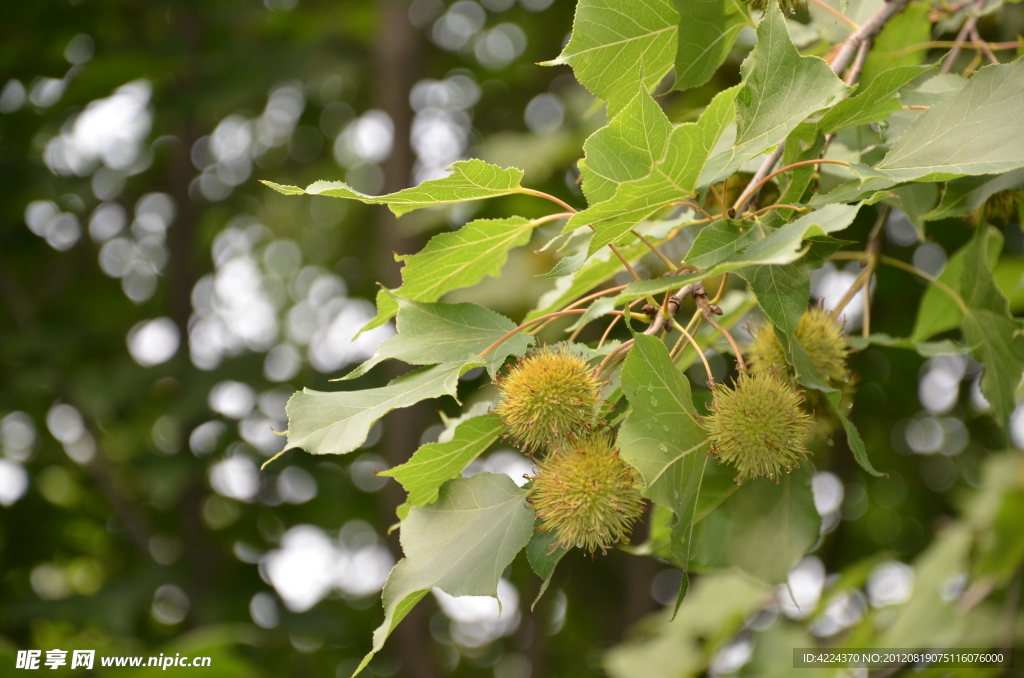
(549,399)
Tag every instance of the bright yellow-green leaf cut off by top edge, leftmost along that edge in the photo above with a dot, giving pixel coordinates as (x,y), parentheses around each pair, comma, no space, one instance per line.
(615,41)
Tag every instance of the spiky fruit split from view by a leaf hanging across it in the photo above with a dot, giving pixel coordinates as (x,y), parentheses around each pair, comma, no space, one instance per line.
(821,336)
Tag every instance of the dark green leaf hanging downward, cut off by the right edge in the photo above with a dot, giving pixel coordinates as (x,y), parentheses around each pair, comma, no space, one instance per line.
(990,327)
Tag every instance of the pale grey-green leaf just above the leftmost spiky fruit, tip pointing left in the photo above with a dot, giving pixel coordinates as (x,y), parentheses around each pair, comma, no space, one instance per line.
(434,333)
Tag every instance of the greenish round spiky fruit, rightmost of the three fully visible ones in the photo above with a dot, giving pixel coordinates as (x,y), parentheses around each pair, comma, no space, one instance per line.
(759,427)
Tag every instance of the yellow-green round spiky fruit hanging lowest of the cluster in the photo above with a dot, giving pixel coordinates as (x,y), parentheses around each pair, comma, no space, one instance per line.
(587,495)
